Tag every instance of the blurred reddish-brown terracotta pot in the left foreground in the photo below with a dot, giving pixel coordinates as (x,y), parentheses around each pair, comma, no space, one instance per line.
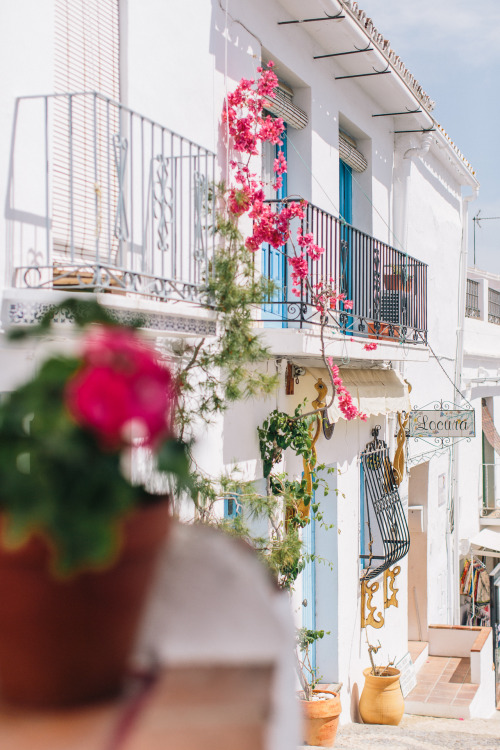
(65,642)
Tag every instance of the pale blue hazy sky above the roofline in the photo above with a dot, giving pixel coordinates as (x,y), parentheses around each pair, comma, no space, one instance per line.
(452,48)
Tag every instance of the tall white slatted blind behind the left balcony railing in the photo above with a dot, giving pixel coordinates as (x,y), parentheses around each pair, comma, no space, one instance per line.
(85,184)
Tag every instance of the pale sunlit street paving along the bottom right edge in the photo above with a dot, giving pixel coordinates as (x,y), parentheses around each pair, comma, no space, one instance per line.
(422,733)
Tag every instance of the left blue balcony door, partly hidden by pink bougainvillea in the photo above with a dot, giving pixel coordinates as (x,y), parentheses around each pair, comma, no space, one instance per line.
(274,265)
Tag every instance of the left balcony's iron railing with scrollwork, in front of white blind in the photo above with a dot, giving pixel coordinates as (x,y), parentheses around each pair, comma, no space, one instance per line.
(103,198)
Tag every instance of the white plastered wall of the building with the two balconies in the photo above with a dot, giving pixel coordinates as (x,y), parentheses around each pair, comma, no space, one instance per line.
(176,70)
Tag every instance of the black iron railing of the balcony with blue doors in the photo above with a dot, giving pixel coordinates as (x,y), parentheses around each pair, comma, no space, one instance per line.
(388,288)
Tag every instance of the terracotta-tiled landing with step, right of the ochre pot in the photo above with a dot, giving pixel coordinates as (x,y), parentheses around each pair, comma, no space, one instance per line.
(444,680)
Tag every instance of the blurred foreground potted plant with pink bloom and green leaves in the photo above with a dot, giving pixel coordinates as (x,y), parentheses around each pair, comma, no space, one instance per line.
(78,539)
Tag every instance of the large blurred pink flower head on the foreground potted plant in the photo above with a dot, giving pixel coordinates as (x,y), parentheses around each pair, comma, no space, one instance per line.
(120,384)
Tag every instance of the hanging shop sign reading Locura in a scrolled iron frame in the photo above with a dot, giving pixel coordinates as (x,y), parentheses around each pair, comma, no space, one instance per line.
(442,423)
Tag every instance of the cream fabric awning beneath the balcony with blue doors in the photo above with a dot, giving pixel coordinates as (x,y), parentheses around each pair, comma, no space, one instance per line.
(374,392)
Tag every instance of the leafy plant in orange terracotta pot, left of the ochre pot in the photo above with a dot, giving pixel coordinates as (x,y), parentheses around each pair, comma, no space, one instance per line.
(320,708)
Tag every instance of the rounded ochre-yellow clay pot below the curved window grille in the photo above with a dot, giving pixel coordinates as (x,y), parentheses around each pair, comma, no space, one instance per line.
(381,701)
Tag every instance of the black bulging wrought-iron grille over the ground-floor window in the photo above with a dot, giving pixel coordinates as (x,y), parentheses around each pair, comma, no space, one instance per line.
(385,528)
